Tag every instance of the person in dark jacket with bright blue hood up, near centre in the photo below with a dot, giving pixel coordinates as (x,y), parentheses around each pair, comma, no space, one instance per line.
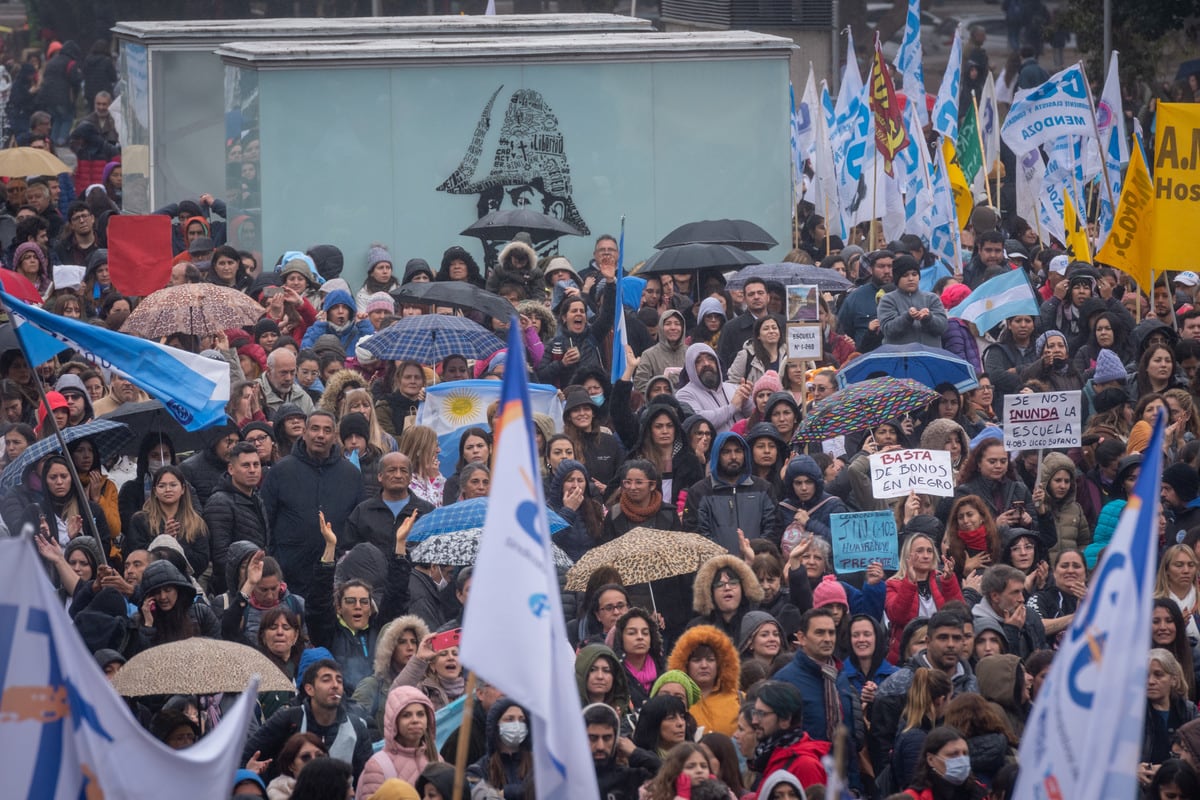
(731,498)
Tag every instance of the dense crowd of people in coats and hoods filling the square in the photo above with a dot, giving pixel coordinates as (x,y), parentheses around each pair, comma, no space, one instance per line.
(287,530)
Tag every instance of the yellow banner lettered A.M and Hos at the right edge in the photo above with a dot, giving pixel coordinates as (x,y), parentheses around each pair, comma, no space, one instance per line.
(1177,185)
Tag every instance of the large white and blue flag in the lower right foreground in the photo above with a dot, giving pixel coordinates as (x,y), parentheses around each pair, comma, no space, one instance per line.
(1084,736)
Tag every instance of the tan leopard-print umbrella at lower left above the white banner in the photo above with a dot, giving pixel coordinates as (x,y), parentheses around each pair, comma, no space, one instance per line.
(199,666)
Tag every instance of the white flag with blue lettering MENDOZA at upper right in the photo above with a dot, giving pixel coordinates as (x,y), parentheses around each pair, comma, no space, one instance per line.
(1058,109)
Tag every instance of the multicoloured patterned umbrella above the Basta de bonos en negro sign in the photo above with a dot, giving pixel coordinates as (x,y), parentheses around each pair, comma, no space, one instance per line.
(863,406)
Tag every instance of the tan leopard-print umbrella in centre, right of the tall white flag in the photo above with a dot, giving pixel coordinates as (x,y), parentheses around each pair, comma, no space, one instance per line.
(646,555)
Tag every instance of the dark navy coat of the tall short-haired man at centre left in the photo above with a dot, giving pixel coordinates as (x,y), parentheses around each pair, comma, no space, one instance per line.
(297,489)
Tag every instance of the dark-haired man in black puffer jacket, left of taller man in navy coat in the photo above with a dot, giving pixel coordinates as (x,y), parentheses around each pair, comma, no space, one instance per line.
(235,513)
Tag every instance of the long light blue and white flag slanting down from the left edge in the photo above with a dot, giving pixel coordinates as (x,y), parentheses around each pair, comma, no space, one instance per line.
(194,389)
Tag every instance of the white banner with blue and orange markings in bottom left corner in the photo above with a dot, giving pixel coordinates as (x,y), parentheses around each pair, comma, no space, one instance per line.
(65,735)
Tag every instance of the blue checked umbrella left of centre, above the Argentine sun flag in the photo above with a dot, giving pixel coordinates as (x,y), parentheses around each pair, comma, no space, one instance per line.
(431,338)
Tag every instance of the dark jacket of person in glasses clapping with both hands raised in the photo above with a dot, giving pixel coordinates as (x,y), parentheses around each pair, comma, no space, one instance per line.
(355,651)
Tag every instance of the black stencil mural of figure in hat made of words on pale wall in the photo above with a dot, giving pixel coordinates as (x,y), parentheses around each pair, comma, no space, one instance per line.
(530,169)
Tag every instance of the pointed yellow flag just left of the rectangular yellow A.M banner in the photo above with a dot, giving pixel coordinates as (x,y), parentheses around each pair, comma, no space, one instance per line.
(1131,246)
